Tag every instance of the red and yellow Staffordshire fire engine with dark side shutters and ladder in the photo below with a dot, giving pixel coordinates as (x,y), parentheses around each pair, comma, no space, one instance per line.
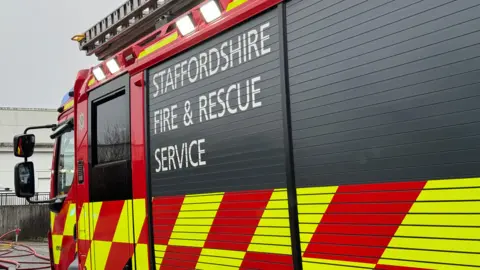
(269,134)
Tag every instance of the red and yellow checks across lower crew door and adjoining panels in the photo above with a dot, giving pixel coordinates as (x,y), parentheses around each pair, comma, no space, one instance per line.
(115,231)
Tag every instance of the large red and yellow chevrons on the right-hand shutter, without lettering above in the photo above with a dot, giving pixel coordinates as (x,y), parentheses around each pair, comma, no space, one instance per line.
(413,225)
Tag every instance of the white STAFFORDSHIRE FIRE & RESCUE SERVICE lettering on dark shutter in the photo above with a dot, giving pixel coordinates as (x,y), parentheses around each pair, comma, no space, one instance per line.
(236,98)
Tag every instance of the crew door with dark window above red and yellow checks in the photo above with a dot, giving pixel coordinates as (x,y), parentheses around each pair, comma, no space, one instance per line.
(110,177)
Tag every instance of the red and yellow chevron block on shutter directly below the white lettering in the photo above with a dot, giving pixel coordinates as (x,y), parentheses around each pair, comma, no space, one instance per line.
(227,230)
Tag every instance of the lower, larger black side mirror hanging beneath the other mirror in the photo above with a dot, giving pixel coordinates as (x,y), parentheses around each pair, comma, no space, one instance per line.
(24,180)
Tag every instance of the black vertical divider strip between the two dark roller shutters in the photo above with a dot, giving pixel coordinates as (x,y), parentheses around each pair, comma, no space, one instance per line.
(287,127)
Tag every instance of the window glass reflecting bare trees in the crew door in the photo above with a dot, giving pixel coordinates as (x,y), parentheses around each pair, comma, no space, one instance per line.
(112,133)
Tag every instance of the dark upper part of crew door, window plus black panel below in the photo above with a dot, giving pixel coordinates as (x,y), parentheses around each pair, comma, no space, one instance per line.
(110,158)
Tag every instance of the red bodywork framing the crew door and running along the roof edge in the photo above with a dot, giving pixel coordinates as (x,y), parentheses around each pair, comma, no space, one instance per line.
(137,103)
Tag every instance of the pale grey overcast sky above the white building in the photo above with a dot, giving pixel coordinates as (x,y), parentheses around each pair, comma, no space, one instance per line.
(39,62)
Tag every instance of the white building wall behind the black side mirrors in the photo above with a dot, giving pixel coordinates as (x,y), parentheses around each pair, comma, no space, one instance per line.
(14,121)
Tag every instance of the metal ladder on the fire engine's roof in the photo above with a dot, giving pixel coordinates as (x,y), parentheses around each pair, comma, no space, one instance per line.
(130,22)
